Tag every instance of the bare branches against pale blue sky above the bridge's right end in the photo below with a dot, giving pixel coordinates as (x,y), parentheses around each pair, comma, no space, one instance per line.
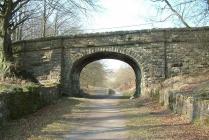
(188,13)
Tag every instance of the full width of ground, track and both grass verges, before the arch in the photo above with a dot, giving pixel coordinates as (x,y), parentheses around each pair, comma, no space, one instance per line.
(108,118)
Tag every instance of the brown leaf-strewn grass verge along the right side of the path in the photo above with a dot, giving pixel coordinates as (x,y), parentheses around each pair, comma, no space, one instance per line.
(149,121)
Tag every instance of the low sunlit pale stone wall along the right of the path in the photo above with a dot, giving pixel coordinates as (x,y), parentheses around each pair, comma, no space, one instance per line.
(187,105)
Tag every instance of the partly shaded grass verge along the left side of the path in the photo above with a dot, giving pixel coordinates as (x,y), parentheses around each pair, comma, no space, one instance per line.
(48,123)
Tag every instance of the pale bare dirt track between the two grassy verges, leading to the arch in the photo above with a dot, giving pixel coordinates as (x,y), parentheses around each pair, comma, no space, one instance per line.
(99,119)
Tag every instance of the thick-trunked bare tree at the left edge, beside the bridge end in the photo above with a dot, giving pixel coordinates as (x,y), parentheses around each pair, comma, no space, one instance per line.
(9,11)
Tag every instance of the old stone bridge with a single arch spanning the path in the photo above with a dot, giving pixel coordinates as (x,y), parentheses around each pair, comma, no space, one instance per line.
(154,55)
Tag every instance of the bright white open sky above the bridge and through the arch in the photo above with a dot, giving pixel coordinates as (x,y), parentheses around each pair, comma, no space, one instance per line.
(121,15)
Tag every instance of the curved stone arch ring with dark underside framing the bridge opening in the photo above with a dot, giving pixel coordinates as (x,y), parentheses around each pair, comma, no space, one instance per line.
(91,56)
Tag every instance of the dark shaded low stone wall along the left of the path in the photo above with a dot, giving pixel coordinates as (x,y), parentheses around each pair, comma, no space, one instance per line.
(15,104)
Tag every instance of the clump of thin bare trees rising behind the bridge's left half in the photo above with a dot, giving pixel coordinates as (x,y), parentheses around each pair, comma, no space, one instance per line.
(55,17)
